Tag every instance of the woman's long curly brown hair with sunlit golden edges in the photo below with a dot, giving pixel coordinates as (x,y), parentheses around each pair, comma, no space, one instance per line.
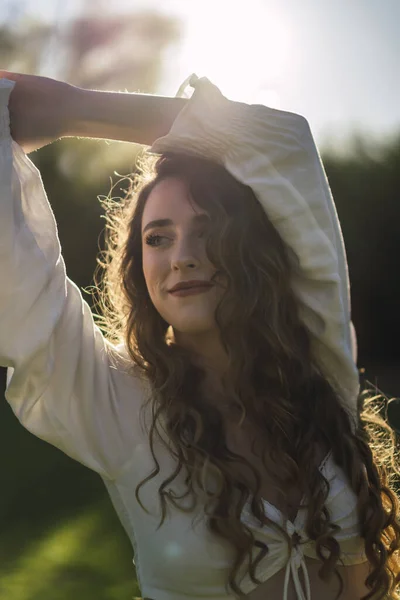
(273,378)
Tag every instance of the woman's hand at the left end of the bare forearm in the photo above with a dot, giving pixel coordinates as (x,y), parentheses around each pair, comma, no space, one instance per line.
(40,109)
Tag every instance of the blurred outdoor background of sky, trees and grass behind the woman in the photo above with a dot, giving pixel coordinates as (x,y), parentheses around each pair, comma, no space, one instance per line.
(336,64)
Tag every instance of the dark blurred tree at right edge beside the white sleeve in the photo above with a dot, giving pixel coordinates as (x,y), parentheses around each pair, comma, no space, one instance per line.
(365,186)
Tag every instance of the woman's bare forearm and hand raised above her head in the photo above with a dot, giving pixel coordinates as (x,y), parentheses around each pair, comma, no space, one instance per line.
(43,110)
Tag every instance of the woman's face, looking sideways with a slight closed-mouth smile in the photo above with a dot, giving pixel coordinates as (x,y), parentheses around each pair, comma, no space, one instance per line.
(174,233)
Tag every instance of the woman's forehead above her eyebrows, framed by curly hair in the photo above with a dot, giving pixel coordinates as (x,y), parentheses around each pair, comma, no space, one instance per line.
(170,199)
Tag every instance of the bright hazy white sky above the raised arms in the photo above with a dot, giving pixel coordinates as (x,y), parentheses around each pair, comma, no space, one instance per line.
(336,63)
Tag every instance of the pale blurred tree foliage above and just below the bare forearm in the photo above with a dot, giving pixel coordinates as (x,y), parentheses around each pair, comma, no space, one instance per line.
(95,50)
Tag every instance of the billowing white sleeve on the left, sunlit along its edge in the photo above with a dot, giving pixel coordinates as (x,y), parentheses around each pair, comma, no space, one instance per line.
(65,383)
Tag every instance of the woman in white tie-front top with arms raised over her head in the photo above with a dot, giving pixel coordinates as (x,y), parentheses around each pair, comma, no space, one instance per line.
(221,407)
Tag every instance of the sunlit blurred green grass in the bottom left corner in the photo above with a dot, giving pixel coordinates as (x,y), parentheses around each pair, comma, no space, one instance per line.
(84,557)
